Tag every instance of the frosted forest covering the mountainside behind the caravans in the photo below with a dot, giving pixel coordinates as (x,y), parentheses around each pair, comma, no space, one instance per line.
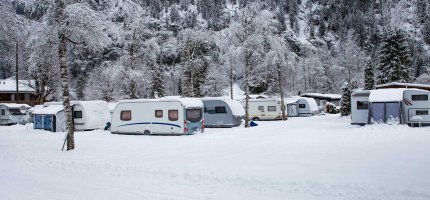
(128,49)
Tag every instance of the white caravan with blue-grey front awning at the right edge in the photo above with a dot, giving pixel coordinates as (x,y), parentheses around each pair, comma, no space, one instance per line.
(399,106)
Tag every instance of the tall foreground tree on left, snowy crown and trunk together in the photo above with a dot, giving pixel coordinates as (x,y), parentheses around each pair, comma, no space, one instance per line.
(64,25)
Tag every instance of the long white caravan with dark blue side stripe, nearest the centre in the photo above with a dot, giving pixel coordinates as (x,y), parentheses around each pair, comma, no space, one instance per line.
(171,116)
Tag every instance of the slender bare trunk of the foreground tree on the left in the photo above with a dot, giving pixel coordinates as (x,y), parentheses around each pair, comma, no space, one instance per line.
(65,77)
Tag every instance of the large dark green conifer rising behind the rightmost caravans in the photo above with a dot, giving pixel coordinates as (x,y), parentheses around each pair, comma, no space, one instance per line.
(394,60)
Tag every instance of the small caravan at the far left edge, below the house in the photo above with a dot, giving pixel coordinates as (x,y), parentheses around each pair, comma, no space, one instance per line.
(12,113)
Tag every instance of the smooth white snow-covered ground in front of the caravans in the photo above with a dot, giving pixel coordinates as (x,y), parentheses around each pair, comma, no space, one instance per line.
(321,157)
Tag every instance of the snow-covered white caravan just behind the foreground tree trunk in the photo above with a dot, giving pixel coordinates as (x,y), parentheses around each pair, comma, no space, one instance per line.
(88,115)
